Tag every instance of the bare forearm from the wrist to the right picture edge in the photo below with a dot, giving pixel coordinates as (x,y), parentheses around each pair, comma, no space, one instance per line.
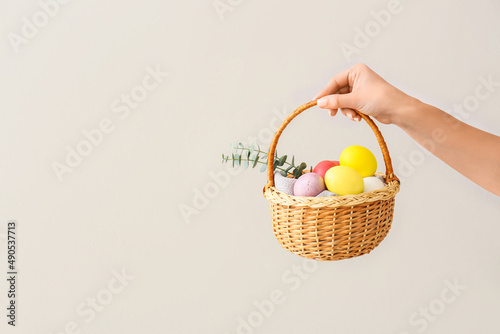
(470,151)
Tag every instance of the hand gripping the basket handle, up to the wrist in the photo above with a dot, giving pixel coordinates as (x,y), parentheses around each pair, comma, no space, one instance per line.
(359,88)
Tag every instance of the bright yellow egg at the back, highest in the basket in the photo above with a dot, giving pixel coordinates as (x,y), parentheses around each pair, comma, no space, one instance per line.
(360,158)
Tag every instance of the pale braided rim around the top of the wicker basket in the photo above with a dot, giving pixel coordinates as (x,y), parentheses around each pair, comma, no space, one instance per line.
(278,197)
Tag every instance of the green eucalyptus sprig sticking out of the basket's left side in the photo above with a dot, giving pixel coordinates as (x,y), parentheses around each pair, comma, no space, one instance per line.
(252,155)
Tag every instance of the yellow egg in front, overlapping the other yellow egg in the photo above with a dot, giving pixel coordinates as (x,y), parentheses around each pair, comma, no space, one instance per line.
(344,180)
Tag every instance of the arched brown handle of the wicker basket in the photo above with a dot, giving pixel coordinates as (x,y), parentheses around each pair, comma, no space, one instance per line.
(270,157)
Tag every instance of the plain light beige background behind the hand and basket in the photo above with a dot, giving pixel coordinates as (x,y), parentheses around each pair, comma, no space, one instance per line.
(120,209)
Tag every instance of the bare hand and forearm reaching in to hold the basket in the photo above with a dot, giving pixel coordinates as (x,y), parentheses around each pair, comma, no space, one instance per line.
(465,148)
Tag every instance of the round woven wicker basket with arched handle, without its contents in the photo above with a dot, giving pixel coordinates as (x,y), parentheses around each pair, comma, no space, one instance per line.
(336,227)
